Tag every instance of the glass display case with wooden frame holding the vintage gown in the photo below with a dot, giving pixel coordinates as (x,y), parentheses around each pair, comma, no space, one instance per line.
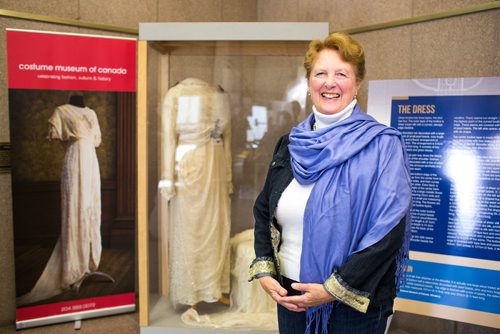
(213,99)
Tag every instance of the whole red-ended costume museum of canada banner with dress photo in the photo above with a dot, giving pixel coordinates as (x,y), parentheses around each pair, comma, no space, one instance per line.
(71,88)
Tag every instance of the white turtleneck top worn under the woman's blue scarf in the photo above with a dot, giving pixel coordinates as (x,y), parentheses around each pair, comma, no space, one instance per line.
(292,205)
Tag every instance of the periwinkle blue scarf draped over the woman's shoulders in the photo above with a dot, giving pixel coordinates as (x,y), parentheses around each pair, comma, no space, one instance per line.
(362,191)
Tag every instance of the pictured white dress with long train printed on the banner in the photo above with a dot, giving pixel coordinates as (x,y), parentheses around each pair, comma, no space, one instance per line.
(78,250)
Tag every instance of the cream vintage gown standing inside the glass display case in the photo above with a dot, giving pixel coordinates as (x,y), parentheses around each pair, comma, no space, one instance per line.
(195,187)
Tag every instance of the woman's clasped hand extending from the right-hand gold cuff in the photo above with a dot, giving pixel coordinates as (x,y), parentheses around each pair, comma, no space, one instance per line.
(313,295)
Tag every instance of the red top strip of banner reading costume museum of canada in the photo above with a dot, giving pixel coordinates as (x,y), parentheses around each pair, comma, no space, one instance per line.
(80,63)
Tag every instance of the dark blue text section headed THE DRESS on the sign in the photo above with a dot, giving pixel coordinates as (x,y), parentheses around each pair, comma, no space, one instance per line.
(453,144)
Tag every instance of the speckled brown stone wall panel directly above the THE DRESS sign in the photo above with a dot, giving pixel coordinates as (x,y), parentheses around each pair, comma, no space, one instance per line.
(457,47)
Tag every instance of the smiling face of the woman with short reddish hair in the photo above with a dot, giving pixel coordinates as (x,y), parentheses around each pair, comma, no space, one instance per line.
(332,83)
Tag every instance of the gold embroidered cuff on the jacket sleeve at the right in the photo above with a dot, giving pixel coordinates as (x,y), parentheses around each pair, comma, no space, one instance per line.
(356,299)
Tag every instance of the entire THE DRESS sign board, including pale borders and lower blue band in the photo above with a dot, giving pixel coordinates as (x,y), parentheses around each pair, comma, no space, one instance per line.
(451,128)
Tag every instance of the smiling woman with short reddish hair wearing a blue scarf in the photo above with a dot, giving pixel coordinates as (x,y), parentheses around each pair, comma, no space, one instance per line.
(334,211)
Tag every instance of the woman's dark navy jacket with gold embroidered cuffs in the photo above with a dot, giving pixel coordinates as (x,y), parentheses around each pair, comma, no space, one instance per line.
(369,274)
